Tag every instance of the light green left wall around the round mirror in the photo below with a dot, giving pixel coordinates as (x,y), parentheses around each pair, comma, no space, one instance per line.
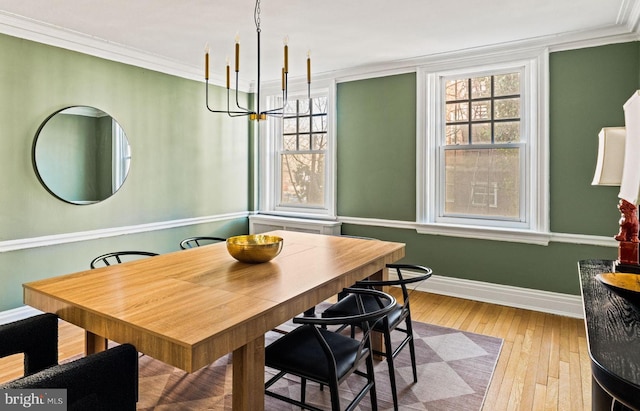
(186,162)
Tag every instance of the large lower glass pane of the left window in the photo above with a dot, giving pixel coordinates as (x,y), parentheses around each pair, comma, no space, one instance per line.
(302,179)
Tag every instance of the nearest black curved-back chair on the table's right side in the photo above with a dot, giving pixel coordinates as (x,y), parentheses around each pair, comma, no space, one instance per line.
(314,352)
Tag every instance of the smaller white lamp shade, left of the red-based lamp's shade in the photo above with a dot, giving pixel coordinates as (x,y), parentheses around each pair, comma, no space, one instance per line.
(610,157)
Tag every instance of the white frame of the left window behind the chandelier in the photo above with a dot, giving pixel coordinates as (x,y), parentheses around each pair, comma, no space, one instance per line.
(269,165)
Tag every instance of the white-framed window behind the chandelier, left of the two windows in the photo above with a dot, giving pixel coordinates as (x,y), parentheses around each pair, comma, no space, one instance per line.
(297,177)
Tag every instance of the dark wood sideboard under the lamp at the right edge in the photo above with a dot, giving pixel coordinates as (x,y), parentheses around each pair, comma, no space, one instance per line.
(613,338)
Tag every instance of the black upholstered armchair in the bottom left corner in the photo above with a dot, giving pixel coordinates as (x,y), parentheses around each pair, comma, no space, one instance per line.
(107,380)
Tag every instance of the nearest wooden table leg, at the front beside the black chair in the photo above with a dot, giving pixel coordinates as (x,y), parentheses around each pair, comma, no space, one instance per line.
(248,376)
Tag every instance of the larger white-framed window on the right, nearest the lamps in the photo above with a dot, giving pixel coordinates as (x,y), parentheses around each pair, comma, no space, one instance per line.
(482,161)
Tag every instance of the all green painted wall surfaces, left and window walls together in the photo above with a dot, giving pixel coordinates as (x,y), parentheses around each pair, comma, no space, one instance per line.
(189,163)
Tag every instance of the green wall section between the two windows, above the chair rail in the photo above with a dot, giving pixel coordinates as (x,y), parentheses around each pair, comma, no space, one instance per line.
(376,148)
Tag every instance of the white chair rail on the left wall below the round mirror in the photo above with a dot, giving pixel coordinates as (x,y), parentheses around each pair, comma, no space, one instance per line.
(56,239)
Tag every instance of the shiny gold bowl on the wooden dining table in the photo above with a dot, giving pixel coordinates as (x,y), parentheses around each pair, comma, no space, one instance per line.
(254,248)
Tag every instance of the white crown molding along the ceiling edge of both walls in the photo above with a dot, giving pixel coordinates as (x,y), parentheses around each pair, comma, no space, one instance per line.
(624,30)
